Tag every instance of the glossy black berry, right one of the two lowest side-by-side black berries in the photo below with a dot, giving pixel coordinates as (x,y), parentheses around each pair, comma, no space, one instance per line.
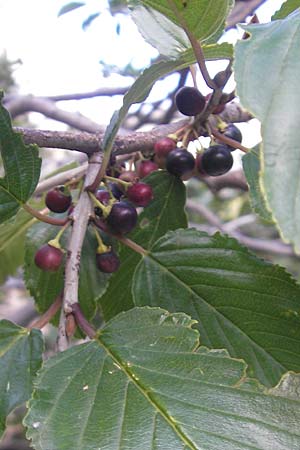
(216,160)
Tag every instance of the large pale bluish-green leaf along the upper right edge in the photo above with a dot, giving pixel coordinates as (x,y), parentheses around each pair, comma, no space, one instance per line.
(271,92)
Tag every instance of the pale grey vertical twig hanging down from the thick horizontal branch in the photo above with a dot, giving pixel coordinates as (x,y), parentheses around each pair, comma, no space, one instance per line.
(81,217)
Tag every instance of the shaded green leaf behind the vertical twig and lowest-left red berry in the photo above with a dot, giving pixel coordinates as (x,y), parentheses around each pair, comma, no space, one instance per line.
(46,286)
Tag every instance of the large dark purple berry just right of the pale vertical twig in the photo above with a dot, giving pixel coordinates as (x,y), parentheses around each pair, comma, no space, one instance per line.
(122,218)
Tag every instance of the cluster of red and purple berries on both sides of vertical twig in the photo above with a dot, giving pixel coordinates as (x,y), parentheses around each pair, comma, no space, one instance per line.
(115,211)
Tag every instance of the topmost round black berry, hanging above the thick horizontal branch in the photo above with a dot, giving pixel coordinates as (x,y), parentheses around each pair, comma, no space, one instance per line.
(189,101)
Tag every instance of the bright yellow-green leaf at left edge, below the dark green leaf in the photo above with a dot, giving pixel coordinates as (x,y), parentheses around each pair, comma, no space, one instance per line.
(12,235)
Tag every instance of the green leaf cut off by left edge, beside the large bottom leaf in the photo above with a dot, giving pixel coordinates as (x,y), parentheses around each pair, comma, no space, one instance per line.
(20,358)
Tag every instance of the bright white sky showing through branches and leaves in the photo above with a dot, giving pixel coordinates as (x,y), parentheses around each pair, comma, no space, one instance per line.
(59,57)
